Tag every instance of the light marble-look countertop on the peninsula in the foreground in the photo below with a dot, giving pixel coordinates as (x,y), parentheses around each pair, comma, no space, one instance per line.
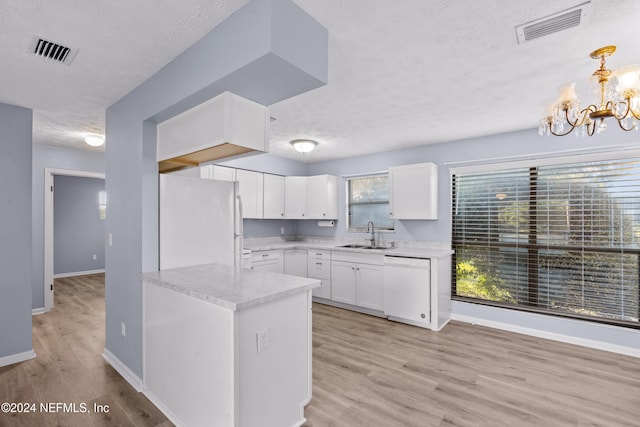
(226,286)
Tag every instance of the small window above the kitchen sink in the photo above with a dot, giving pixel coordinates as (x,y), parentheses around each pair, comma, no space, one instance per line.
(368,200)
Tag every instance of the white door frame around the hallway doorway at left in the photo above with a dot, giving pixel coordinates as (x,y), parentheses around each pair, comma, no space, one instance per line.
(47,286)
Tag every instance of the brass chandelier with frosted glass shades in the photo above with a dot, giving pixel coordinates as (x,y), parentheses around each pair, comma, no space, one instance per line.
(619,92)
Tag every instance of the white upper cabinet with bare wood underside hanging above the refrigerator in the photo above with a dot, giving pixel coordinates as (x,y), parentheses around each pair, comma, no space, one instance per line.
(224,126)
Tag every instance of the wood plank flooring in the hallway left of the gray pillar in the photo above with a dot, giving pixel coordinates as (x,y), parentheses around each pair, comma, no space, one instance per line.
(69,368)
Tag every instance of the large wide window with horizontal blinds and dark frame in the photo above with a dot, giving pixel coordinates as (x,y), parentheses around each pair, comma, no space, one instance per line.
(563,239)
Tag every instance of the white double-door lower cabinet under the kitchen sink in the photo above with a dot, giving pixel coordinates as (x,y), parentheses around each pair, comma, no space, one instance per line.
(357,279)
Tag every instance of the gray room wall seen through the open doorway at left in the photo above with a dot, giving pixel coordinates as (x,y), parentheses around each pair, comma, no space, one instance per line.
(78,231)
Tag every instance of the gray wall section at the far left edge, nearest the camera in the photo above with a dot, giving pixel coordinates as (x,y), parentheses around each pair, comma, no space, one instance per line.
(15,230)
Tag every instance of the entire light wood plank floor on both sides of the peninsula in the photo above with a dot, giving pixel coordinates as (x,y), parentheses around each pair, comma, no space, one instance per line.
(366,371)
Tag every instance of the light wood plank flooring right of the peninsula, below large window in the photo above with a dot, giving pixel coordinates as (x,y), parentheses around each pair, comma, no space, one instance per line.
(372,372)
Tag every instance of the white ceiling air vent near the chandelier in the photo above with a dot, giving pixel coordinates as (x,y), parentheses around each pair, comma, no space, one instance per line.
(560,21)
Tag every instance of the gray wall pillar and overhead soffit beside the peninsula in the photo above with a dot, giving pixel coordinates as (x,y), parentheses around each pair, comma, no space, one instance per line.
(267,51)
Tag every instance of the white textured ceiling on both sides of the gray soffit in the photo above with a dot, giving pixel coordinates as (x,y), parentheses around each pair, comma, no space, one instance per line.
(401,74)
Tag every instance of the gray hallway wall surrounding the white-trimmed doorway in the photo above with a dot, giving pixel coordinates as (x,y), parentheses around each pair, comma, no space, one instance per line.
(46,156)
